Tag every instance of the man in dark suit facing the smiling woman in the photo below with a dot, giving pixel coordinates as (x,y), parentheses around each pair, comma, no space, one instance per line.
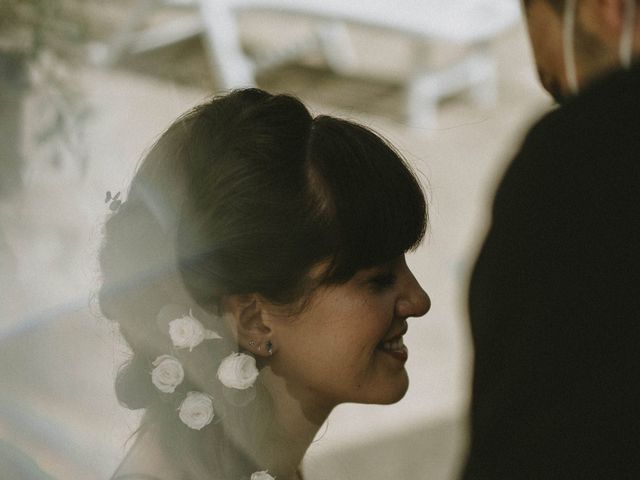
(555,293)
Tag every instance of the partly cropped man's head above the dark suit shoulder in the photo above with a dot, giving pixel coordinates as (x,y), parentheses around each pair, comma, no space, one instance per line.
(588,37)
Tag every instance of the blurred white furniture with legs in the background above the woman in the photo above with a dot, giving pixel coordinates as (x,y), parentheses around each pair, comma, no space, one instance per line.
(472,23)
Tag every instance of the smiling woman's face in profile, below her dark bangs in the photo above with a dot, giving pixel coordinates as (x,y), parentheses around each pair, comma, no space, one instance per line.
(346,345)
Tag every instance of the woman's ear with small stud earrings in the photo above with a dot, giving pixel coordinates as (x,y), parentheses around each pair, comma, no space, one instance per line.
(246,315)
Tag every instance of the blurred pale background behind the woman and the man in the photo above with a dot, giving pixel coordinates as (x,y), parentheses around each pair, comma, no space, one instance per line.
(87,85)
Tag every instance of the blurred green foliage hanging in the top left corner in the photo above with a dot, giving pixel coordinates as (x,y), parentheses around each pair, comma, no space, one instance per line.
(49,36)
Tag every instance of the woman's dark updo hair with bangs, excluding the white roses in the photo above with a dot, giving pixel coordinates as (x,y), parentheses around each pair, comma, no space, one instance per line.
(244,194)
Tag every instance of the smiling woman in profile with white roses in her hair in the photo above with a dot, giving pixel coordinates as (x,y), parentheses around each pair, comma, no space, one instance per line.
(257,271)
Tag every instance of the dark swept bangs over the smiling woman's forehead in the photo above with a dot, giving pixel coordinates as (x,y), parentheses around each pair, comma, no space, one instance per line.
(372,203)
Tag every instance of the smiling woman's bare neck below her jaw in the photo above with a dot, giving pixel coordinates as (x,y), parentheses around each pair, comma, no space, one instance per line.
(297,421)
